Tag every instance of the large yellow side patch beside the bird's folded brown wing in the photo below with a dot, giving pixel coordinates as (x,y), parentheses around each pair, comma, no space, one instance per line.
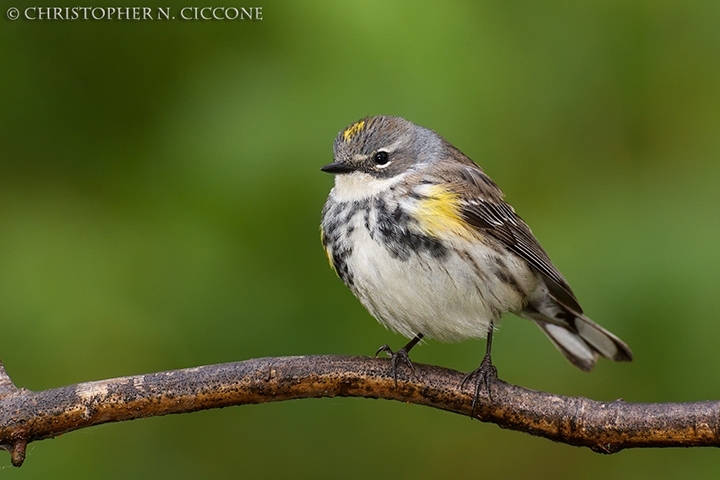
(439,213)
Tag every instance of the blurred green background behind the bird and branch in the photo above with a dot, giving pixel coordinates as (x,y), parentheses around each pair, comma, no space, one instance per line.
(160,195)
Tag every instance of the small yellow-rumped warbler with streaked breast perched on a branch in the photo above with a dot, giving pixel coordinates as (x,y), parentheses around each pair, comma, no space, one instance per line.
(425,241)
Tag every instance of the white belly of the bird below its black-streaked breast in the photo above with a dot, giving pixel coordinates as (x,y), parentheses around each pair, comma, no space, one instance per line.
(449,299)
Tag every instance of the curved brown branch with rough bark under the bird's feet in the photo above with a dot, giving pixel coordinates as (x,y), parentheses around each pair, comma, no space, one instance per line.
(606,427)
